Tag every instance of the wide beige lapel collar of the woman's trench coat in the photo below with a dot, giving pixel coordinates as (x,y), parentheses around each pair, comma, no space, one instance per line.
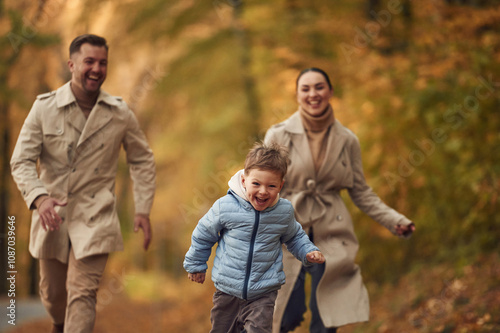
(336,141)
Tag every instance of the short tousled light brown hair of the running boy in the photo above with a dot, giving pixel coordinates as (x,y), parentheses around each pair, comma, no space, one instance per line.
(271,157)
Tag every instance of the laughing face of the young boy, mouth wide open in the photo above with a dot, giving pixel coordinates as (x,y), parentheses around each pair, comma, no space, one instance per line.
(263,187)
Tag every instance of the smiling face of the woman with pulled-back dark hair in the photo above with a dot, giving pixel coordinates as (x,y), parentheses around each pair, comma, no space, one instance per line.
(313,93)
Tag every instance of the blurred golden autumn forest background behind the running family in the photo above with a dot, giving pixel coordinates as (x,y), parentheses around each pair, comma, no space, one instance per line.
(417,82)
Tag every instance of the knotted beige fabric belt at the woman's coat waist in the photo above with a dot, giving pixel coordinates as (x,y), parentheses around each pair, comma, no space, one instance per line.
(304,214)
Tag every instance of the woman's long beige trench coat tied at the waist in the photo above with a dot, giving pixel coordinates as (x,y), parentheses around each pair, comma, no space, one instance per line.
(341,294)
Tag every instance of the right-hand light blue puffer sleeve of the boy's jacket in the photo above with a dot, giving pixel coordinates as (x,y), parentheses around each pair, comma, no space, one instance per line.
(297,242)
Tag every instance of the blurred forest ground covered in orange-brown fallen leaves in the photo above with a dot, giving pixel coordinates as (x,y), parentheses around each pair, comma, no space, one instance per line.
(430,299)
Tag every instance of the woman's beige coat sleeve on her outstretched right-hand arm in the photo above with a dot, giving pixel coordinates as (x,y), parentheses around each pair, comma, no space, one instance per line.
(368,201)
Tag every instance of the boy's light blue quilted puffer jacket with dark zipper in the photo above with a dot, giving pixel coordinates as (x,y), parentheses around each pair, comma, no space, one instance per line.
(248,259)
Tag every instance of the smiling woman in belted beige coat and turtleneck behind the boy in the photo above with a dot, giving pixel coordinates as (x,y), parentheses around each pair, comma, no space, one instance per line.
(325,158)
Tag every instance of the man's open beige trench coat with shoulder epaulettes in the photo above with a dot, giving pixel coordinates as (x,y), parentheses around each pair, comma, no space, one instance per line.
(78,161)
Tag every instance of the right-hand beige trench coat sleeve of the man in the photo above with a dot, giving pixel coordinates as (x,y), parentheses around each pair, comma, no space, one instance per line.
(141,165)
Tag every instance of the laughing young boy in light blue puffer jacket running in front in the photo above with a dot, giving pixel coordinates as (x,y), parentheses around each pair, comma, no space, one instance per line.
(250,223)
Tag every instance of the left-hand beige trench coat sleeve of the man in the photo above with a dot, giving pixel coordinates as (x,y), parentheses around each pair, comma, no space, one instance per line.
(25,156)
